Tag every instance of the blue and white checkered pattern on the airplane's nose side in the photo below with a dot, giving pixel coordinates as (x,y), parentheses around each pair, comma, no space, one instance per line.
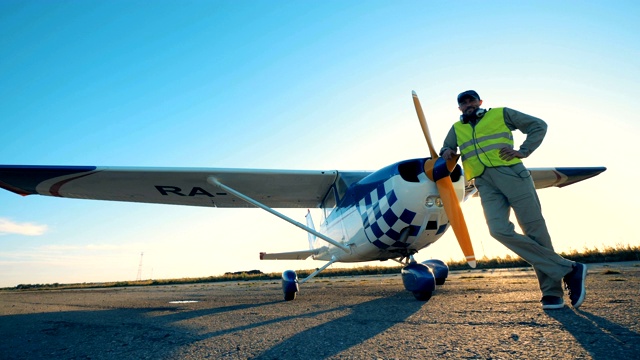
(384,219)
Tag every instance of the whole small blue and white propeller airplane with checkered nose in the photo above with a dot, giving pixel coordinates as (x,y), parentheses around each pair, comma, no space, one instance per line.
(388,214)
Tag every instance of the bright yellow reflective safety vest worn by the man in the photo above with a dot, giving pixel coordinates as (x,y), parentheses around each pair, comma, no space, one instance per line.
(480,147)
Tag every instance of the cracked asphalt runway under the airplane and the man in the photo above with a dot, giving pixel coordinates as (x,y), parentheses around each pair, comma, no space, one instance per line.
(475,315)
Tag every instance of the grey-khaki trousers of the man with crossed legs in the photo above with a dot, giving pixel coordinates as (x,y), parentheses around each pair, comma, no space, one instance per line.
(511,187)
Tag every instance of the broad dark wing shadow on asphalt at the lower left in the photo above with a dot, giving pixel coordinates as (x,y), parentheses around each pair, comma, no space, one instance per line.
(102,334)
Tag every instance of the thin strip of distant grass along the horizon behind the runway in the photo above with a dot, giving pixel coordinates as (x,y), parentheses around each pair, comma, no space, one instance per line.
(608,254)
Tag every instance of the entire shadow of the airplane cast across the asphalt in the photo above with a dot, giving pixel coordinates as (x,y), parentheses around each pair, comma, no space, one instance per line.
(137,333)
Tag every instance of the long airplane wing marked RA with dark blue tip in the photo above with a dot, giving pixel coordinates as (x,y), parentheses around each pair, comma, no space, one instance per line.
(178,186)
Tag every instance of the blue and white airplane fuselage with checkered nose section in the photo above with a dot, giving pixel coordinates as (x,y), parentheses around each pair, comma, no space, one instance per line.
(392,213)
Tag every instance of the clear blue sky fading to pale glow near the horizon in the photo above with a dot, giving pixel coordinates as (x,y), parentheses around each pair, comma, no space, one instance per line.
(295,85)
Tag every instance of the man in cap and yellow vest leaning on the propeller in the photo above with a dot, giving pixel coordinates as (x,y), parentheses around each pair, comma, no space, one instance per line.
(488,156)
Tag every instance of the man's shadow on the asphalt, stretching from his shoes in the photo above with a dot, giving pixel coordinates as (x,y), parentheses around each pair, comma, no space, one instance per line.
(602,338)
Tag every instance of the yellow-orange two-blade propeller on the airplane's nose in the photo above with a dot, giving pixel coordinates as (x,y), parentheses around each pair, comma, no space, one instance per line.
(438,171)
